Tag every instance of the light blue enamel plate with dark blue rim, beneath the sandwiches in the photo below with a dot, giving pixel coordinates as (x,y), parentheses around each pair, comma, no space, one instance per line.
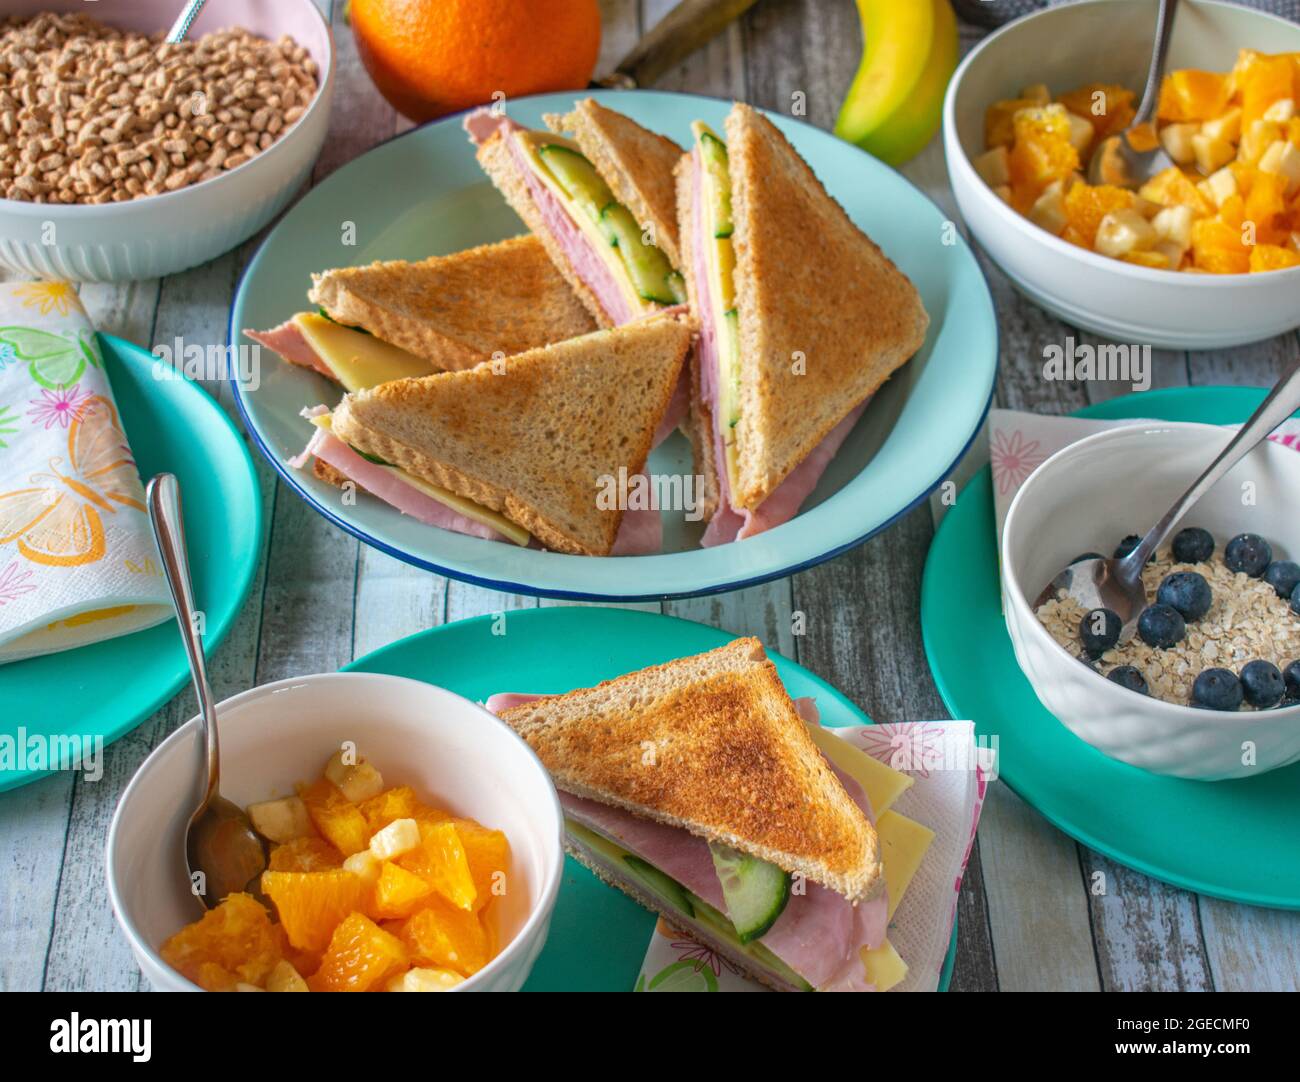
(423,194)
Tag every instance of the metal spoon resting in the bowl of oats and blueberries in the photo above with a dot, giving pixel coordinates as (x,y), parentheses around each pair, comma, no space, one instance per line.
(1116,585)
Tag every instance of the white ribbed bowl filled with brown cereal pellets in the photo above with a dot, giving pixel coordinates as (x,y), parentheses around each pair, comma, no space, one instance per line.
(123,158)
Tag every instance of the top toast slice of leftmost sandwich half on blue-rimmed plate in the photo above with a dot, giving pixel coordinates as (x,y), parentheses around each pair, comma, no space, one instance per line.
(458,310)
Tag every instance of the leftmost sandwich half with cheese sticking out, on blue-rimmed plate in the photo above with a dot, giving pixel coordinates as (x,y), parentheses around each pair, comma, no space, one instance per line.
(393,321)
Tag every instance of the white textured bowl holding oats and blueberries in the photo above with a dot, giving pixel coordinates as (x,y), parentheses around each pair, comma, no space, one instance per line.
(1180,698)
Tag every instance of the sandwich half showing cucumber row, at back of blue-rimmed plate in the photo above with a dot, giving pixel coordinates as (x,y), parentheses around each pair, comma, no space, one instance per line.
(600,202)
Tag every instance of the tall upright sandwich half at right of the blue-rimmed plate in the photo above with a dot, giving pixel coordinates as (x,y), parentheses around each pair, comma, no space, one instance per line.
(803,319)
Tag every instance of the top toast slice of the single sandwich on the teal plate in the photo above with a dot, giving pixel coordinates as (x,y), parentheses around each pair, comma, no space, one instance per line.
(733,763)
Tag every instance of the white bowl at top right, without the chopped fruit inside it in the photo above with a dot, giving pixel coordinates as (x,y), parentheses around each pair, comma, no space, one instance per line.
(1110,41)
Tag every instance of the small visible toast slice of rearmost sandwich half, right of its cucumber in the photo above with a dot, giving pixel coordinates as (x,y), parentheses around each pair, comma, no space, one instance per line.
(635,163)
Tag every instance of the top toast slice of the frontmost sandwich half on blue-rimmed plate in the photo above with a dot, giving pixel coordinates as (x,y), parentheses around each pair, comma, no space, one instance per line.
(539,439)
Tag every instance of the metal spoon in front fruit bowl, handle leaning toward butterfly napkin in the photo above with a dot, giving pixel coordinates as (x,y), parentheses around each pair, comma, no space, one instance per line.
(223,852)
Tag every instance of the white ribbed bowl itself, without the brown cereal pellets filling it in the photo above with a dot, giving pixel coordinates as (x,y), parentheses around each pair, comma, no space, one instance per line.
(162,235)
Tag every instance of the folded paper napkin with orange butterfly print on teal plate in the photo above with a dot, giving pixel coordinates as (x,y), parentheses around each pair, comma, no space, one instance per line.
(79,564)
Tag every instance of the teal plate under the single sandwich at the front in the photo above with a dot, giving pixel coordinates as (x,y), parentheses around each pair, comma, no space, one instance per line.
(599,936)
